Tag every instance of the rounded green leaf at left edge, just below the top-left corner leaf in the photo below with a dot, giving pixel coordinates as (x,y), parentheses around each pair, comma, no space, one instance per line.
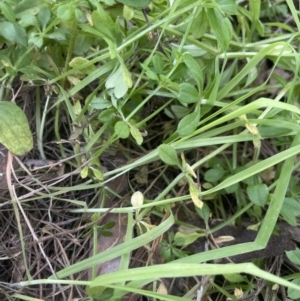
(13,32)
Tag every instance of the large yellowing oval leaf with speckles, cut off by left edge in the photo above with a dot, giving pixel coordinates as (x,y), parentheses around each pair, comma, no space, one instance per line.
(15,133)
